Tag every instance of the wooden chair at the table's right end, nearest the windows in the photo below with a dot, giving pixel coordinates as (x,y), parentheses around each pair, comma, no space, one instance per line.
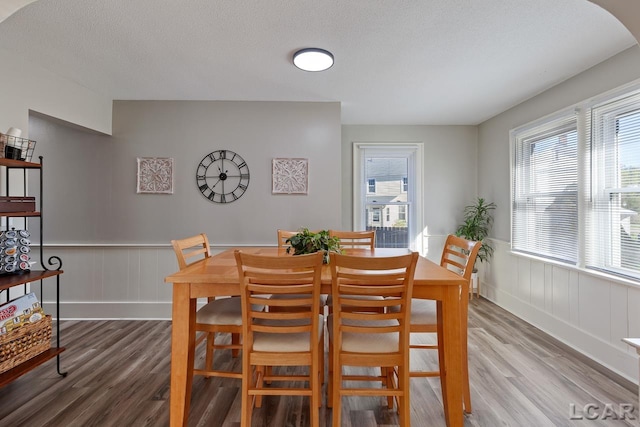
(458,255)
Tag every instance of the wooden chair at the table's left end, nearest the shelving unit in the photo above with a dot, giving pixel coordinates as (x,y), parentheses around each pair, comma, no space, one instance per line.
(222,315)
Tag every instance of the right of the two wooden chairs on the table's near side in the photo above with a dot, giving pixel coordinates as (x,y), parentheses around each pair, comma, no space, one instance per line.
(365,334)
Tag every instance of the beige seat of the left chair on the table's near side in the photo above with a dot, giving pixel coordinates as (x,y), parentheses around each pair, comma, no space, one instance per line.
(284,343)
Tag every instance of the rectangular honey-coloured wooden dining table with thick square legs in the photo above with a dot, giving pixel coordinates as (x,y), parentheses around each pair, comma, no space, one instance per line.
(218,276)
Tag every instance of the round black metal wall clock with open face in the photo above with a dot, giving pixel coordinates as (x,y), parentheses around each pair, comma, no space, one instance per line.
(222,176)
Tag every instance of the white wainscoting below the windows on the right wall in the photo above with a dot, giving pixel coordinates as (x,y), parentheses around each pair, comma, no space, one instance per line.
(587,311)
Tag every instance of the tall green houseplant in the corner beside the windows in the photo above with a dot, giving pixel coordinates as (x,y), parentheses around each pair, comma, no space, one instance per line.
(478,219)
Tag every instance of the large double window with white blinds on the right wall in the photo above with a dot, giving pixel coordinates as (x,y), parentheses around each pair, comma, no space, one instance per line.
(576,186)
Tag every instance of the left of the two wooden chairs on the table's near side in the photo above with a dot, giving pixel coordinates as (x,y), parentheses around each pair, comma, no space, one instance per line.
(293,336)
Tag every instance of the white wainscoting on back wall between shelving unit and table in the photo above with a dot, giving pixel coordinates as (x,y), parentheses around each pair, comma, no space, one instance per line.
(111,281)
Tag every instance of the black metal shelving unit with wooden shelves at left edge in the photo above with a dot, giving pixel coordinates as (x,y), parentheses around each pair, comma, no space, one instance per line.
(52,270)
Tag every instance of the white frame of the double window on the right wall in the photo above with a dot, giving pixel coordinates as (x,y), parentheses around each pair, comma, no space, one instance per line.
(594,186)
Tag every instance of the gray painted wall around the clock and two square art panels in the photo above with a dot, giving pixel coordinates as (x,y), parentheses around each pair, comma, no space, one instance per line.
(91,179)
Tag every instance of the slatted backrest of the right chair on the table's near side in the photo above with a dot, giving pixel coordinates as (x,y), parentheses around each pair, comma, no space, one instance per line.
(356,284)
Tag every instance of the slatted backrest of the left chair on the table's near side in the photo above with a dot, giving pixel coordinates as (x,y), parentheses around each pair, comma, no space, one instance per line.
(296,282)
